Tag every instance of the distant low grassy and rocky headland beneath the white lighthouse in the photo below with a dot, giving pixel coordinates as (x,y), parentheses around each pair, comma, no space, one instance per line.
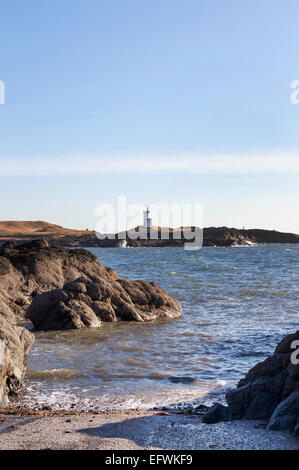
(22,231)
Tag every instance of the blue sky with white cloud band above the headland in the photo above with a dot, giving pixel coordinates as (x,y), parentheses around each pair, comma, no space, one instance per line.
(161,101)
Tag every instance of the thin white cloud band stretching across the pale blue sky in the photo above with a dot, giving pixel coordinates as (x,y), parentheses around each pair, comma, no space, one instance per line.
(178,163)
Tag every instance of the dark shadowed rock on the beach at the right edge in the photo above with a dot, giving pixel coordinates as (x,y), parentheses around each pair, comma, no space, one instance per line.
(269,391)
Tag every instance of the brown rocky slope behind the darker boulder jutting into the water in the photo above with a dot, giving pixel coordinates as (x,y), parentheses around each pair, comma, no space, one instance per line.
(35,267)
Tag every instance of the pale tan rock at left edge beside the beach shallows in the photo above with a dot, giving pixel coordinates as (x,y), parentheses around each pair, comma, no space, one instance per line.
(15,342)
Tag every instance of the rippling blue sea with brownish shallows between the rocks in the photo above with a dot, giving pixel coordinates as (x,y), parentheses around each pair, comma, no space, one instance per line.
(238,303)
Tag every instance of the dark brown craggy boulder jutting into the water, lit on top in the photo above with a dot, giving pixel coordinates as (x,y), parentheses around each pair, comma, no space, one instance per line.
(91,299)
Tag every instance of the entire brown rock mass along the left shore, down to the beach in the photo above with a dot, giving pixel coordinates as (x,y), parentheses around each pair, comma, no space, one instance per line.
(59,288)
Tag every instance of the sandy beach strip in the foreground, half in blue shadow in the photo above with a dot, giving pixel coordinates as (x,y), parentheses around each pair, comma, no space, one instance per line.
(133,430)
